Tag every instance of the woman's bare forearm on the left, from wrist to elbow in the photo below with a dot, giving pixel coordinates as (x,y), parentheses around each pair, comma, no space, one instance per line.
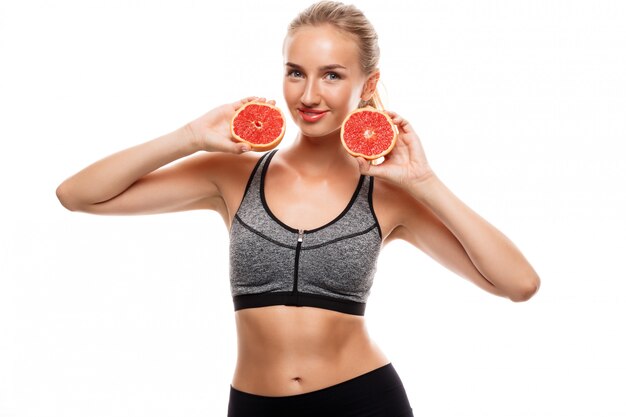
(110,176)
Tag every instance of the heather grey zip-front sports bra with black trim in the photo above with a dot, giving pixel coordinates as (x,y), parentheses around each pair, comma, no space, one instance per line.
(330,267)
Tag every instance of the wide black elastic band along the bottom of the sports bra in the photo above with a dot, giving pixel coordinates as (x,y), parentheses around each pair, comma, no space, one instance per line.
(290,298)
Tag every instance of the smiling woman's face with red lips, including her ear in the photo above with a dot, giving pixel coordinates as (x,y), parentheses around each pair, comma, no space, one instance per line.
(322,73)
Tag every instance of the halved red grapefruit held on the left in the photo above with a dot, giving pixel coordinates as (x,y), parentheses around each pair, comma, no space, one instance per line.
(261,125)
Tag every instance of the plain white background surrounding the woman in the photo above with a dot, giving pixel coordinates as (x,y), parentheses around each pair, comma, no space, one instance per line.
(520,108)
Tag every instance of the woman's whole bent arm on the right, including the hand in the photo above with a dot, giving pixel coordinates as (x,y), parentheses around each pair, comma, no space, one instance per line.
(433,219)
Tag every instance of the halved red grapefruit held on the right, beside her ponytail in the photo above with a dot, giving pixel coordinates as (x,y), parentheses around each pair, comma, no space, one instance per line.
(369,133)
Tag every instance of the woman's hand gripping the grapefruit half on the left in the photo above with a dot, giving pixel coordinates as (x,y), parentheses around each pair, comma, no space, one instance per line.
(211,131)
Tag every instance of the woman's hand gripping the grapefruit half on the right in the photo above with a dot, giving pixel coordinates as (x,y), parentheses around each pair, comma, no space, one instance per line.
(406,164)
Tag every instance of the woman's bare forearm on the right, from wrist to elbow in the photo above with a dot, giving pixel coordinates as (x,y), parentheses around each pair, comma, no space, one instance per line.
(491,252)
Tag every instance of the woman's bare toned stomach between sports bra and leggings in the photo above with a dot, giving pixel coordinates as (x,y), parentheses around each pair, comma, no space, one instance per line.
(286,350)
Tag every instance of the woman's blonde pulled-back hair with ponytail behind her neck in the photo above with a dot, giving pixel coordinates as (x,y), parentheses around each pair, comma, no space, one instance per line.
(350,20)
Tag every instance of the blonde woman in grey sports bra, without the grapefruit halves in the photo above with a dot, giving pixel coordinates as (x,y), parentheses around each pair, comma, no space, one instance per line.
(303,346)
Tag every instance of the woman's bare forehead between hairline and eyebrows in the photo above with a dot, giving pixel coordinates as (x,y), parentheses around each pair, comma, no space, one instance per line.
(320,45)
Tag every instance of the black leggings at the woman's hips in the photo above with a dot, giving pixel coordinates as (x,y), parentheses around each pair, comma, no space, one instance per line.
(378,393)
